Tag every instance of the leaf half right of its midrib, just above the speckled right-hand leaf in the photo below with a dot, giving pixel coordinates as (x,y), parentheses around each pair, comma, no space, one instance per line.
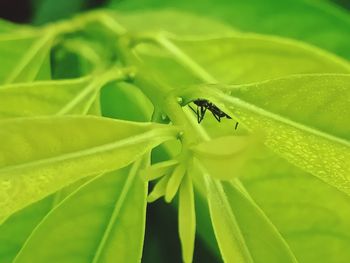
(248,57)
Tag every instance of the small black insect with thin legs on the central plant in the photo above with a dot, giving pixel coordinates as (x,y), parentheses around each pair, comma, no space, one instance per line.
(203,105)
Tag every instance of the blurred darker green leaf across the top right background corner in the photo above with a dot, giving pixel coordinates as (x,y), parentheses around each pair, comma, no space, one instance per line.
(318,23)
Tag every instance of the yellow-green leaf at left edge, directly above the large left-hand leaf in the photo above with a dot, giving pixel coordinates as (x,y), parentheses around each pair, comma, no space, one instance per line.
(60,97)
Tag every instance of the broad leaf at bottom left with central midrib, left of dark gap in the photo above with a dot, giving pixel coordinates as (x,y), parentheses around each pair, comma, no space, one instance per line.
(102,221)
